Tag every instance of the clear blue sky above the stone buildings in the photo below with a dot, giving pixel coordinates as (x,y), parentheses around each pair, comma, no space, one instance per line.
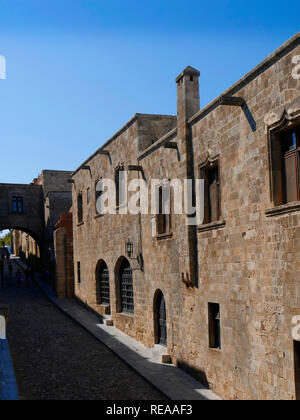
(77,70)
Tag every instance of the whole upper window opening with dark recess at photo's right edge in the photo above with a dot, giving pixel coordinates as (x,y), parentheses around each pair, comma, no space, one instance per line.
(286,166)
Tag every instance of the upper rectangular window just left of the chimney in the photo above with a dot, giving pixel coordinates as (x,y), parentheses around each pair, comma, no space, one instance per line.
(164,221)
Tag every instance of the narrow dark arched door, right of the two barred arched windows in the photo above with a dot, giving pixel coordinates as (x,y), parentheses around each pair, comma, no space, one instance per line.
(160,319)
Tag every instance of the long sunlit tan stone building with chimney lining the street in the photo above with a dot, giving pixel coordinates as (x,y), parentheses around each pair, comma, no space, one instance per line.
(220,296)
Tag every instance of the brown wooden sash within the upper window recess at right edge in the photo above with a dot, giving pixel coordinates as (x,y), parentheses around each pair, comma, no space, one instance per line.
(290,146)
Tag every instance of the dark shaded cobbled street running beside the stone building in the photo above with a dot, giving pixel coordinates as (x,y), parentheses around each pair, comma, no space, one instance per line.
(56,359)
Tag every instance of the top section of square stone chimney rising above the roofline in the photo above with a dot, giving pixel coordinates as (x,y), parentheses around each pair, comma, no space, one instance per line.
(188,98)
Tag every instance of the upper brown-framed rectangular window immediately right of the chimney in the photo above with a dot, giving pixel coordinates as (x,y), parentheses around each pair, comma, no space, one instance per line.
(212,195)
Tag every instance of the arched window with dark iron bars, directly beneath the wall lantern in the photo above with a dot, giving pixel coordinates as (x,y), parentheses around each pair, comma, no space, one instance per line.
(124,286)
